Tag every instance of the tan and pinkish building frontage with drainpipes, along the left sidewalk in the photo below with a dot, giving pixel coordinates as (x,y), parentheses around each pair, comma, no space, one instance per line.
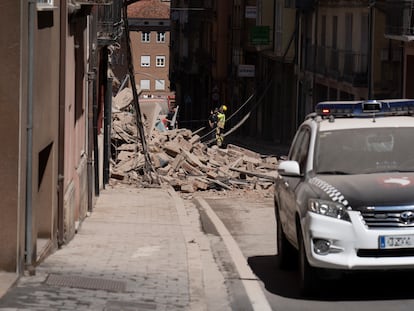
(53,87)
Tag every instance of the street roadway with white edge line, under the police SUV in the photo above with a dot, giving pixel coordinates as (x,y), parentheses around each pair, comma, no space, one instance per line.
(250,221)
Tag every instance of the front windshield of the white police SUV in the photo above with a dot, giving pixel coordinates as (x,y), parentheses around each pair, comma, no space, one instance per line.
(365,151)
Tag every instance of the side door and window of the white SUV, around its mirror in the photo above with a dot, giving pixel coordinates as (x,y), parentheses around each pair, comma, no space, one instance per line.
(288,185)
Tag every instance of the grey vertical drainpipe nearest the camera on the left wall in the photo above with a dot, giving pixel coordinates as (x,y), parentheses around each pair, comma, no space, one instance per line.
(29,154)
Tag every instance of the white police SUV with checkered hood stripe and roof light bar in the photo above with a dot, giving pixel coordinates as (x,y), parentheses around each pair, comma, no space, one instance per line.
(344,197)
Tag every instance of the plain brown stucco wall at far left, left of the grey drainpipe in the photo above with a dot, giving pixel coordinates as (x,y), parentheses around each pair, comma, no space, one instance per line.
(12,136)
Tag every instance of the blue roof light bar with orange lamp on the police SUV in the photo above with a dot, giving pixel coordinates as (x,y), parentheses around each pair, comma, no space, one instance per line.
(366,108)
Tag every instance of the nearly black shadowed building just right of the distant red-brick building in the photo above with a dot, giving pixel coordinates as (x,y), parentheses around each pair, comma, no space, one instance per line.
(200,58)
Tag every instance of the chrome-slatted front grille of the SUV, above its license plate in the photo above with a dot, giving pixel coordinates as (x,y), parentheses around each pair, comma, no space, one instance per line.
(389,216)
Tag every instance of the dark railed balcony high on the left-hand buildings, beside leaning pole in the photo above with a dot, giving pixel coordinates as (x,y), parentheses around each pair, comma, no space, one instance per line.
(110,23)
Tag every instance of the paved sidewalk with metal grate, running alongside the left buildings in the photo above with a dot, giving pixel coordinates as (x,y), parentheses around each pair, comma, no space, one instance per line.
(136,251)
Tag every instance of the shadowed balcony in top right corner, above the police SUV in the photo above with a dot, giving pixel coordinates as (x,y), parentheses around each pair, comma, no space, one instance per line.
(399,19)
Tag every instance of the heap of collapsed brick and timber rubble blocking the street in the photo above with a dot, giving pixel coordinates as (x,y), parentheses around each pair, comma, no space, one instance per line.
(179,158)
